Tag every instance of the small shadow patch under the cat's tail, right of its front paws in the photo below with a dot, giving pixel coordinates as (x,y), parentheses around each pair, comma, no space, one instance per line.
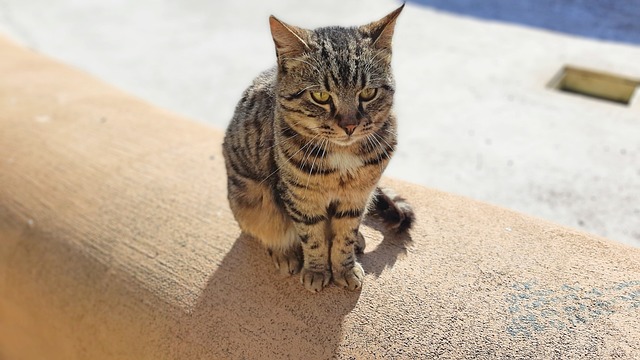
(392,248)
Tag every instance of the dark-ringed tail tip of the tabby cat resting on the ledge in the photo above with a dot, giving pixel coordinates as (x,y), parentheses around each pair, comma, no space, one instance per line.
(394,210)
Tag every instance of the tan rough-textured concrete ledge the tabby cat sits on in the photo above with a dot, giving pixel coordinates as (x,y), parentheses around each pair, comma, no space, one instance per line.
(116,242)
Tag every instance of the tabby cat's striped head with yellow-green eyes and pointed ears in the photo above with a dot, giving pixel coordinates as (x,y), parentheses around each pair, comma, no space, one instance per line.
(335,83)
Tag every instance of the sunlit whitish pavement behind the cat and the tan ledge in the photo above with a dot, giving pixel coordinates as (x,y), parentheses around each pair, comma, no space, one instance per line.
(476,117)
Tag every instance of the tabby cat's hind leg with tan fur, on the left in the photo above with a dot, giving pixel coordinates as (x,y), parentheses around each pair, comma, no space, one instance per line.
(259,216)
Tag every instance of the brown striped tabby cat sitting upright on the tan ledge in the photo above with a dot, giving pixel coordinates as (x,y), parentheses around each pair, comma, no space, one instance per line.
(307,144)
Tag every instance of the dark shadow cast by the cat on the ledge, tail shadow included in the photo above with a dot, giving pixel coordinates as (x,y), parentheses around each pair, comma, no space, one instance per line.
(248,310)
